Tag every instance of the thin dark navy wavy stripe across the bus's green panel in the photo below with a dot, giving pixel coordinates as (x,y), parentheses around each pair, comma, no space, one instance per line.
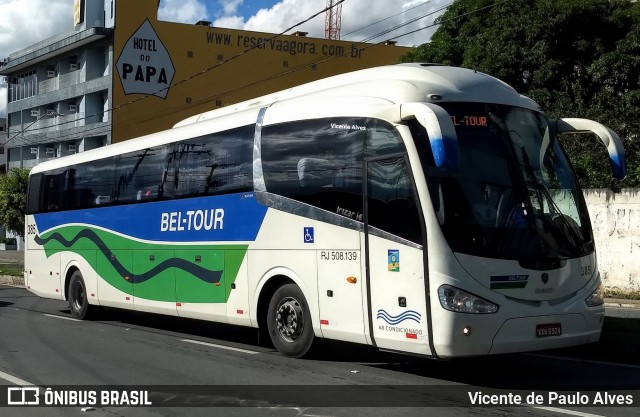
(199,272)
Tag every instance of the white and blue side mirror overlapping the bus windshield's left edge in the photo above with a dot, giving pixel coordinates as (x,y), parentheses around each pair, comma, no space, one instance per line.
(440,129)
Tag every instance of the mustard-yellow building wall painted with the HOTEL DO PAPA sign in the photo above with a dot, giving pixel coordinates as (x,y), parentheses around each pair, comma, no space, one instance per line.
(165,72)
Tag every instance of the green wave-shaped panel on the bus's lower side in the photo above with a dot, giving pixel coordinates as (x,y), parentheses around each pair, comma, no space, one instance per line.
(153,271)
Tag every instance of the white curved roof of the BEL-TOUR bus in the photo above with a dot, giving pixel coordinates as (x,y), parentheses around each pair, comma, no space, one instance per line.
(394,84)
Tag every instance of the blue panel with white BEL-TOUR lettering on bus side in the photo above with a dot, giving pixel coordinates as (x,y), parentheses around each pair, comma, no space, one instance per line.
(232,217)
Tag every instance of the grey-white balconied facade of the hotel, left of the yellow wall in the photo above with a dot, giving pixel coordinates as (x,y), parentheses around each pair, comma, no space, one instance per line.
(59,90)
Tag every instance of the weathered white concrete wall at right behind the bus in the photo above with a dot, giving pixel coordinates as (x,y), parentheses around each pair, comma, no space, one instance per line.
(616,227)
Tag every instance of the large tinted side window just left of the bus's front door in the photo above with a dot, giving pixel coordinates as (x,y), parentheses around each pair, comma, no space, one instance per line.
(318,162)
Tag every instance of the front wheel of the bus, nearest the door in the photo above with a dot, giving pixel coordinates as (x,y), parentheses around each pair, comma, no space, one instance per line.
(289,322)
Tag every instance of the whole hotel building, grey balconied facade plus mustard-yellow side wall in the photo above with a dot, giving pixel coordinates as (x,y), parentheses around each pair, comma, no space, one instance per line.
(99,84)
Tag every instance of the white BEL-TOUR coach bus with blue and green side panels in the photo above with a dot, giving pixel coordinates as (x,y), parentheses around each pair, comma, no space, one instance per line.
(417,208)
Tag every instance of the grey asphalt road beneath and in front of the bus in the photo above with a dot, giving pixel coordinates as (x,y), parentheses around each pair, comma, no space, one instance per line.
(188,362)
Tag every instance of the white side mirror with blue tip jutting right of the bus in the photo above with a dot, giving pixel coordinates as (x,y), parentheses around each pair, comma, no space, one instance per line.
(607,136)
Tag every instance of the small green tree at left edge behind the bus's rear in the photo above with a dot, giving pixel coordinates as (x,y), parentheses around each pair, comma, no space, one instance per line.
(13,200)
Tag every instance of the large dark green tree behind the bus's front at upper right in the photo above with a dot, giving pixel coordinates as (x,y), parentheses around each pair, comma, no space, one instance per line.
(575,59)
